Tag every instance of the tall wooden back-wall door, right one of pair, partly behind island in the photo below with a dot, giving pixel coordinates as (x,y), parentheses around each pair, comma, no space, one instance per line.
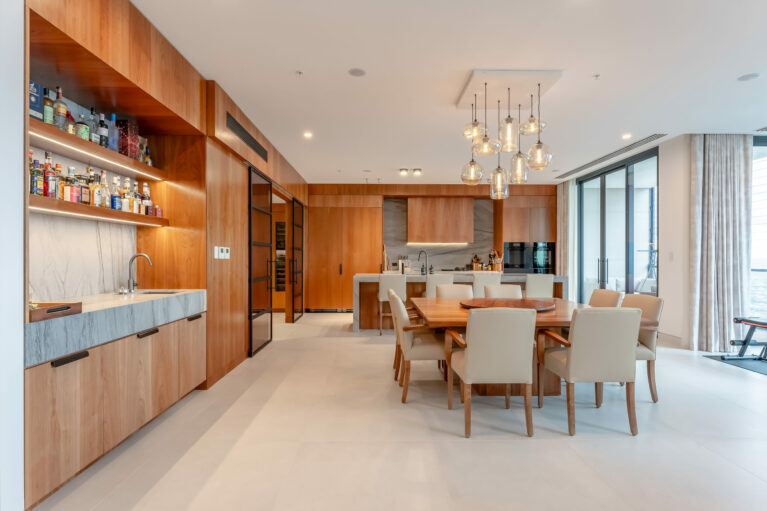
(362,245)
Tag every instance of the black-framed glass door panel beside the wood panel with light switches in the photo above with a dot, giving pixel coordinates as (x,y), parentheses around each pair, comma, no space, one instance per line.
(260,273)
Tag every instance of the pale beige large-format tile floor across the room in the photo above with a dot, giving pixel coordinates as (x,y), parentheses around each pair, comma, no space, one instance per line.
(314,421)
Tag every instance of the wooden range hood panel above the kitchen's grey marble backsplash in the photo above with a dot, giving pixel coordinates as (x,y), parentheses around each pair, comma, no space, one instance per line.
(440,220)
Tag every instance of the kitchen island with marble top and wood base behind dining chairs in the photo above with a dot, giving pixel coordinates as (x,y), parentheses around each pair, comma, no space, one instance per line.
(366,293)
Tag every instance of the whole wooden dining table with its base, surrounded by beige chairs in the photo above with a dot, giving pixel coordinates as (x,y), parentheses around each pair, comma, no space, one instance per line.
(552,314)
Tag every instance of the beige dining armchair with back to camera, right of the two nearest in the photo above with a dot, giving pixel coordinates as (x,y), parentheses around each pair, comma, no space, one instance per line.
(602,348)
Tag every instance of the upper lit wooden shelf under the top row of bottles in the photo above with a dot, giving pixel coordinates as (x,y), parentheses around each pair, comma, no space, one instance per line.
(49,138)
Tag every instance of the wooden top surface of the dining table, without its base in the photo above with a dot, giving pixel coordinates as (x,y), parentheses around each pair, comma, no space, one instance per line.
(448,312)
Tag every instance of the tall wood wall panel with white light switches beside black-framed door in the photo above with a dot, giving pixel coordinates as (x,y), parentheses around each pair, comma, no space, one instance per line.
(227,182)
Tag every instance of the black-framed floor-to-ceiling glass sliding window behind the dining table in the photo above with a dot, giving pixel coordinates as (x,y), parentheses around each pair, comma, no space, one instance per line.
(618,227)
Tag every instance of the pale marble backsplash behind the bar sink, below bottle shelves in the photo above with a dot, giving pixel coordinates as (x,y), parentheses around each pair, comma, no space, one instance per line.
(70,258)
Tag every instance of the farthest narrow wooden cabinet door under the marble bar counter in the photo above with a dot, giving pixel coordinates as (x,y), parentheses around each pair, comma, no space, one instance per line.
(191,353)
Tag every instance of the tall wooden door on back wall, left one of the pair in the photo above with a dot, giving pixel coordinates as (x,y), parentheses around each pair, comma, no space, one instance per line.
(325,258)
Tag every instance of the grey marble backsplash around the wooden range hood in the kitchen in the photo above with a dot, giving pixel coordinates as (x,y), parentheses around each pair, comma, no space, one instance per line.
(395,237)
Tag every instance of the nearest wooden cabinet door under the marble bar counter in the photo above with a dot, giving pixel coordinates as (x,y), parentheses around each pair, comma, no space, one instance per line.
(63,416)
